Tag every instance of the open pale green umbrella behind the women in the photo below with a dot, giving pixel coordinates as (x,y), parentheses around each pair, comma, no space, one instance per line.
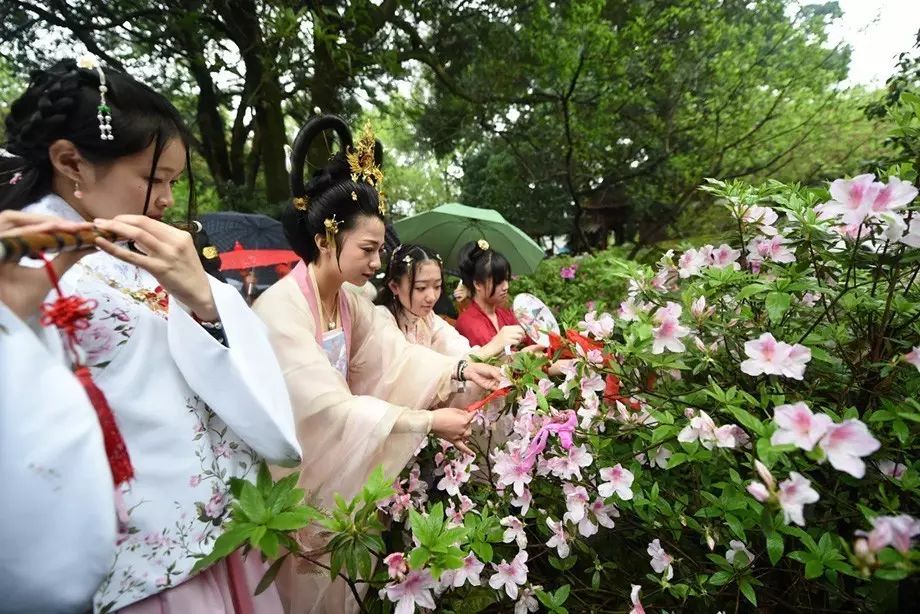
(449,227)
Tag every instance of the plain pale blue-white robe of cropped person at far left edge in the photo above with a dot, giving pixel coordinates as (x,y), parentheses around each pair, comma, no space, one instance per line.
(57,508)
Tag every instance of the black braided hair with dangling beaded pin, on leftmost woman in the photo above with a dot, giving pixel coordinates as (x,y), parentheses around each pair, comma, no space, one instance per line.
(62,103)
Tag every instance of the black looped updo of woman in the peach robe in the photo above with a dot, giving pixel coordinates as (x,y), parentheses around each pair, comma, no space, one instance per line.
(334,192)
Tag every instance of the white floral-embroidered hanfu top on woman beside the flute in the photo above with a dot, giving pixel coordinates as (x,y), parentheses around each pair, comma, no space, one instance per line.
(193,413)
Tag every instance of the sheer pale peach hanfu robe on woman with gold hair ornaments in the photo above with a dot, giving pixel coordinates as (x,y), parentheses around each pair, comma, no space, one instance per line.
(349,420)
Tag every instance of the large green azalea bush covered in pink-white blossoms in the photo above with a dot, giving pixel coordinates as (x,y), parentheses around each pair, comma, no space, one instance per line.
(738,434)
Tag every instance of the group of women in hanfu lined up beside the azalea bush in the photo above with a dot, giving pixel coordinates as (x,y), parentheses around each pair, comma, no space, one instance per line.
(135,383)
